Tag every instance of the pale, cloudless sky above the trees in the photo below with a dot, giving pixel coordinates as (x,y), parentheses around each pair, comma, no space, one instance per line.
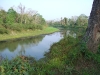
(53,9)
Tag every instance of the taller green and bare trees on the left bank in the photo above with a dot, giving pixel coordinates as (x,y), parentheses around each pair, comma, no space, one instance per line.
(20,19)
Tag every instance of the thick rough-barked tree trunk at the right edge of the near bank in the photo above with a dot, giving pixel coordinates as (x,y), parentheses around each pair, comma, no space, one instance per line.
(92,36)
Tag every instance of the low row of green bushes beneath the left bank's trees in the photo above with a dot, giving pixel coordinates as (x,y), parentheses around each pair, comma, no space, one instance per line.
(19,27)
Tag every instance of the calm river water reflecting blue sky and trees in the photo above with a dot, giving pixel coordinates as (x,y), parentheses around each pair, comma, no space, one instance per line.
(34,47)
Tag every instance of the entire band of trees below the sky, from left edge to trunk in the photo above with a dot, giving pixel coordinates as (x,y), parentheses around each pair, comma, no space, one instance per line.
(27,19)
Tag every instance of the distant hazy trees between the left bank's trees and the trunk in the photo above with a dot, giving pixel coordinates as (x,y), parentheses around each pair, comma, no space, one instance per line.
(81,20)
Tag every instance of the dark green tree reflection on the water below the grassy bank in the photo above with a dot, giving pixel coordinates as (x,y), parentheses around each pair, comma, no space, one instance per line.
(13,44)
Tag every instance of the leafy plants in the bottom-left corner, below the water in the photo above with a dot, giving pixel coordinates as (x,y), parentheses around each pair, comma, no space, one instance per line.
(20,65)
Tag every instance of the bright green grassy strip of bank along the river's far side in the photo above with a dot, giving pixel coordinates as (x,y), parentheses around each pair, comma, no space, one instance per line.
(28,33)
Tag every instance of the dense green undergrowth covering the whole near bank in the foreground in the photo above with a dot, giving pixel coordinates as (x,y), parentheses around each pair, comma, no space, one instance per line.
(67,57)
